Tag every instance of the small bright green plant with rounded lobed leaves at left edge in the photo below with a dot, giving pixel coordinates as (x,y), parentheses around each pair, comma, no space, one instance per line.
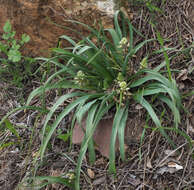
(12,63)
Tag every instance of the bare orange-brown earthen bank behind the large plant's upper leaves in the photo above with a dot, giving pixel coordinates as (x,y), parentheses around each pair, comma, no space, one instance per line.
(46,20)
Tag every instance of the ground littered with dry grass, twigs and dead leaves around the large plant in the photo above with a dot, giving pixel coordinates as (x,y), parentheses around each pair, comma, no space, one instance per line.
(157,167)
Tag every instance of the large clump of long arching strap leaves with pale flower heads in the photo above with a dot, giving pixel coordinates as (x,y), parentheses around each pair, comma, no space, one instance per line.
(104,77)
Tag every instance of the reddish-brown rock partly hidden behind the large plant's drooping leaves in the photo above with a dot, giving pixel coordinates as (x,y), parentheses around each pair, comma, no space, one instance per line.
(102,134)
